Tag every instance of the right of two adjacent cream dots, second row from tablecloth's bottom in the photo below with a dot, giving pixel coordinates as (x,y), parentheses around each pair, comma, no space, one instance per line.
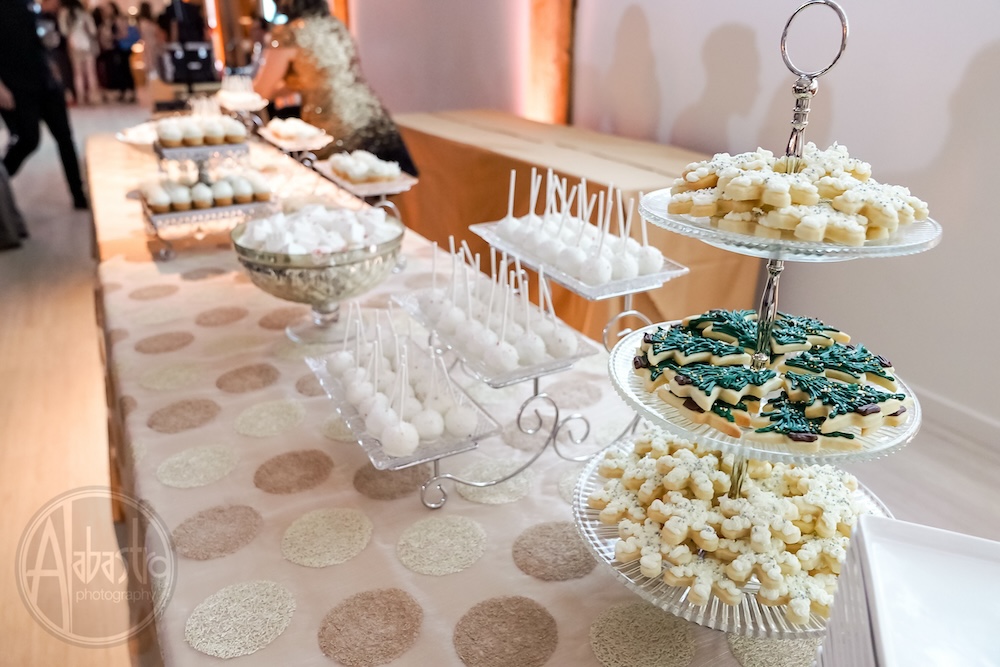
(441,545)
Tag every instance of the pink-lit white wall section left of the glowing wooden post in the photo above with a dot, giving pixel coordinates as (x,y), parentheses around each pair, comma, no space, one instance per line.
(444,54)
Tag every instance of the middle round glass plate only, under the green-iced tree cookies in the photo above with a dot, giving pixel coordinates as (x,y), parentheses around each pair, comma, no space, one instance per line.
(630,387)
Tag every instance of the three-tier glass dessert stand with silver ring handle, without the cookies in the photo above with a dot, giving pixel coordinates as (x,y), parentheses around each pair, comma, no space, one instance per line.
(749,617)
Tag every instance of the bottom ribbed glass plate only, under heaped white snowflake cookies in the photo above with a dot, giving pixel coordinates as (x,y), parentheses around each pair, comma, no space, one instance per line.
(747,618)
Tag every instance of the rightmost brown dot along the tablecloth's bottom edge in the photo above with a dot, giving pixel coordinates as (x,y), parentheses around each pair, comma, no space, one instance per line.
(506,631)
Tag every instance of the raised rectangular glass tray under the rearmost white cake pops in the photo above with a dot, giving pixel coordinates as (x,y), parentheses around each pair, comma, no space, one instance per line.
(671,269)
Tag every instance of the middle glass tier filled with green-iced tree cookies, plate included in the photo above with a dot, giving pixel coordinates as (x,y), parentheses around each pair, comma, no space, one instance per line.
(820,398)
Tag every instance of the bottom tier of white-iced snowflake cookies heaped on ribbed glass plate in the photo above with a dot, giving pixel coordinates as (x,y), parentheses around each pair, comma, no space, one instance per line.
(658,509)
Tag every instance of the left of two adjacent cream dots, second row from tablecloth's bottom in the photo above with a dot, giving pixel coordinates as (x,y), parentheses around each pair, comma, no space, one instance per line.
(326,537)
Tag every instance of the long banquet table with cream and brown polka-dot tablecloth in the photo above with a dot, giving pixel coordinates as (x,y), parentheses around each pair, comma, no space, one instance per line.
(220,418)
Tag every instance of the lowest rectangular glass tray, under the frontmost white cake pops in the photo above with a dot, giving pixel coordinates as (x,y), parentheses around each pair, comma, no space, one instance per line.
(428,450)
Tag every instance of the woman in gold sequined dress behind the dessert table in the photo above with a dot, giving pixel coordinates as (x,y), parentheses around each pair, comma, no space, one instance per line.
(316,57)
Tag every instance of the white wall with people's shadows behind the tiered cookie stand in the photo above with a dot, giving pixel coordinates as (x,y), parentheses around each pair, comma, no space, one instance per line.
(915,94)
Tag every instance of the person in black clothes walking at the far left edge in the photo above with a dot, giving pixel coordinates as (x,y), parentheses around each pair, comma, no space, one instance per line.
(30,94)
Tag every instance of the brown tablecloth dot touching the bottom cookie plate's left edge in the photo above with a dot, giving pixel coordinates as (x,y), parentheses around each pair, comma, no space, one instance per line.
(552,551)
